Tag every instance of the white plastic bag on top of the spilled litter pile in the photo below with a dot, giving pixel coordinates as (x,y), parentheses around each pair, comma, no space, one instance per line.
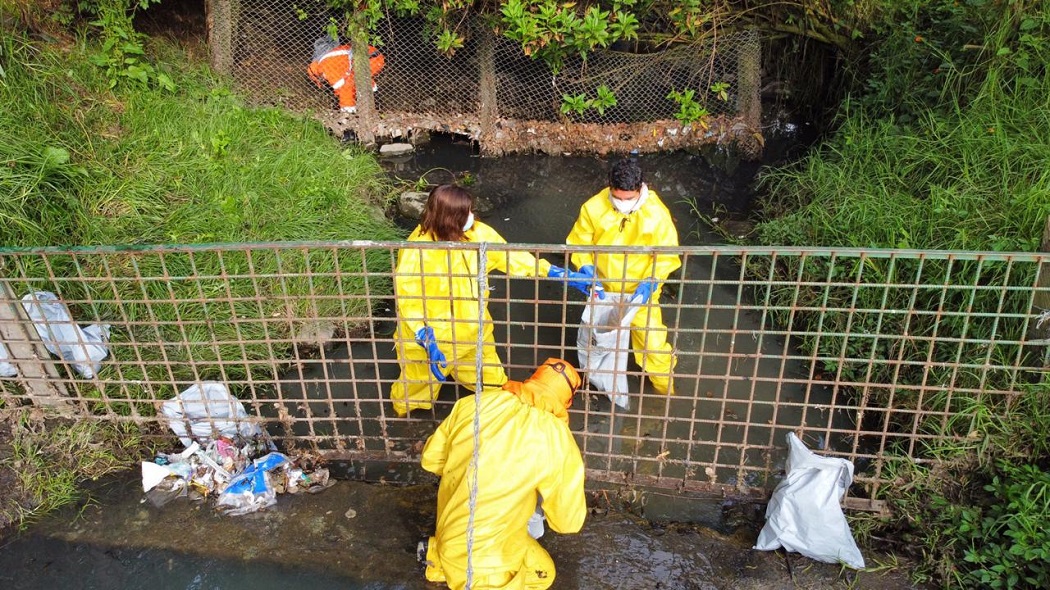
(206,412)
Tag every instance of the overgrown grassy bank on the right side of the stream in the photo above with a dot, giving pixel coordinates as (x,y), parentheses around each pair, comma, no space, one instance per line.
(944,145)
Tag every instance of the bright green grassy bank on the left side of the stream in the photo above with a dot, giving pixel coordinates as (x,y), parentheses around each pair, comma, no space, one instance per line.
(150,150)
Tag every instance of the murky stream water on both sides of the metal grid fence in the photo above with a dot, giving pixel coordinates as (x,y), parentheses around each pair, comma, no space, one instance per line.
(358,536)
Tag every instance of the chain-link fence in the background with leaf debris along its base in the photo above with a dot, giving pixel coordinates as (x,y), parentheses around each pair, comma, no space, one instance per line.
(491,92)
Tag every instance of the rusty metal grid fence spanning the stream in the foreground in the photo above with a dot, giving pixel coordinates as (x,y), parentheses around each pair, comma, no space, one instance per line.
(868,355)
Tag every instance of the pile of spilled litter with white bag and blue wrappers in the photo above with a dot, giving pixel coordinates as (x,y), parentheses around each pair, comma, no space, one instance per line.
(227,458)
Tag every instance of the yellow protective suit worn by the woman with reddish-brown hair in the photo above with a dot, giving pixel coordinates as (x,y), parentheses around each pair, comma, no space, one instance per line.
(439,288)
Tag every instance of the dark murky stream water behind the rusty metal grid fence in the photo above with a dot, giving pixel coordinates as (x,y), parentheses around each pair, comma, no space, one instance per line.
(721,375)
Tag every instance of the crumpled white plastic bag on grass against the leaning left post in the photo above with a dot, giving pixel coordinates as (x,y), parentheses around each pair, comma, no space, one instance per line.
(85,348)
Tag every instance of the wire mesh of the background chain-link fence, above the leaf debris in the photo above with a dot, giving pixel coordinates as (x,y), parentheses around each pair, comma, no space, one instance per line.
(271,45)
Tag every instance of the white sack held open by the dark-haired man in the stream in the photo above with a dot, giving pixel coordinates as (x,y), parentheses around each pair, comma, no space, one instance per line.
(604,343)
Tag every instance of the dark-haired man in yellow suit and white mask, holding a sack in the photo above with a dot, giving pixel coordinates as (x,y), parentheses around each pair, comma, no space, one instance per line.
(628,214)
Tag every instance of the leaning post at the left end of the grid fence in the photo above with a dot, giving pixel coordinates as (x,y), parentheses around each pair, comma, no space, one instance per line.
(36,373)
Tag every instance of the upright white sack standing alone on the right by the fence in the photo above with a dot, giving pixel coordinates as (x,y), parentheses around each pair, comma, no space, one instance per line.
(806,514)
